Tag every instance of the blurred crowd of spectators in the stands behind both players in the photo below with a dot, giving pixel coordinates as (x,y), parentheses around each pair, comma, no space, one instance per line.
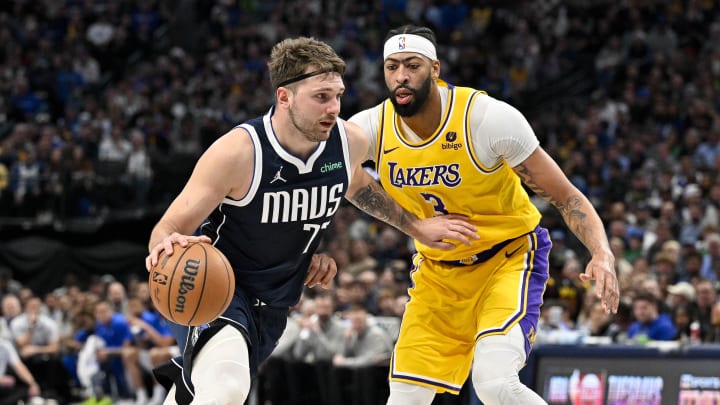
(106,104)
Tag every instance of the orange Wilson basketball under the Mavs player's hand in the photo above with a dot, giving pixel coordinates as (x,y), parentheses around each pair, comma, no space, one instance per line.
(193,286)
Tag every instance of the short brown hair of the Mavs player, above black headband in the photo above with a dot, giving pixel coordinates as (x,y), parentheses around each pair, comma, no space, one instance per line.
(291,57)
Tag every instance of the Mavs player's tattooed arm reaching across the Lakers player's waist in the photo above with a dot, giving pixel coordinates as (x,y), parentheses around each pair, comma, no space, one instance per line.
(442,232)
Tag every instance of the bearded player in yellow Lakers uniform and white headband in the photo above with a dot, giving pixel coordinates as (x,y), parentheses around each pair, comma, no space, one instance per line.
(442,149)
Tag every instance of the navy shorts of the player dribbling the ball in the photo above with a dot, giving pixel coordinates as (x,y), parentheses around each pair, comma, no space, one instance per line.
(260,324)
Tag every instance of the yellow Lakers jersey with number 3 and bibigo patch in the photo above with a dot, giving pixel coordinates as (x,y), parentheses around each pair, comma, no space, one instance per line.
(441,175)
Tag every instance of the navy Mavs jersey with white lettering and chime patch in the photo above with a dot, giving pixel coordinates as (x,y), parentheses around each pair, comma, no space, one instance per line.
(270,234)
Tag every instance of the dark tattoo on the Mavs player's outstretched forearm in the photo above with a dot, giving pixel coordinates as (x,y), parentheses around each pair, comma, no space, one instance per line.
(376,202)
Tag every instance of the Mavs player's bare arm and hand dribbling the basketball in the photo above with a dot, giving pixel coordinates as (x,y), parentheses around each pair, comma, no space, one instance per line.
(220,172)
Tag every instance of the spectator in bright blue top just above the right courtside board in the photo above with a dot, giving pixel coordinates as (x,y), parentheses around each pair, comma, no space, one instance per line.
(649,322)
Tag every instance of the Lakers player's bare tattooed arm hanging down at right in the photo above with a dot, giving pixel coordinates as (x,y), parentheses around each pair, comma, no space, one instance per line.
(540,172)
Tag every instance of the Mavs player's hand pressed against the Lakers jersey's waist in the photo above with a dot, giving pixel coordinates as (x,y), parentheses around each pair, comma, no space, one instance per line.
(445,232)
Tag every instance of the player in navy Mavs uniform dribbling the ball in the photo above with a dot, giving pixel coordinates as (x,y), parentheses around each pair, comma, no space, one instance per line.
(269,189)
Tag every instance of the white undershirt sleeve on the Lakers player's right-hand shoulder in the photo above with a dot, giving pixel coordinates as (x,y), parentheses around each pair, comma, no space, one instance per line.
(500,131)
